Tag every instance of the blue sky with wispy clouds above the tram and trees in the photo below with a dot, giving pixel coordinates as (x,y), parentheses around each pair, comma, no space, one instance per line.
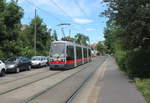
(83,19)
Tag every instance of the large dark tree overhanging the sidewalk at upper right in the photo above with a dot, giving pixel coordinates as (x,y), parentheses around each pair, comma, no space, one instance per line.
(133,17)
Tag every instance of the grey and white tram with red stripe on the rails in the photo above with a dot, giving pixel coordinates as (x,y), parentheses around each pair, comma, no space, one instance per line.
(66,55)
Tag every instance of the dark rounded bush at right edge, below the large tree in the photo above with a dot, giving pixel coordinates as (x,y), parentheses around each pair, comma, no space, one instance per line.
(138,63)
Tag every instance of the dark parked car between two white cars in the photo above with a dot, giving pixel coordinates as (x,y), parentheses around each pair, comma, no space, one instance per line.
(17,64)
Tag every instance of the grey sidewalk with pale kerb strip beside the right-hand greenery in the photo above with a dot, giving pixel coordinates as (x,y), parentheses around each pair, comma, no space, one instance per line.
(109,85)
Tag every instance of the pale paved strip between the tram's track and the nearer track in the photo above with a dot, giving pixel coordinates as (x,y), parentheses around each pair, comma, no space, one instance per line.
(12,96)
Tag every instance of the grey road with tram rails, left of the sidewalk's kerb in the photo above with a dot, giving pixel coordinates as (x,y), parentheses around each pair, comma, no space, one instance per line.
(44,86)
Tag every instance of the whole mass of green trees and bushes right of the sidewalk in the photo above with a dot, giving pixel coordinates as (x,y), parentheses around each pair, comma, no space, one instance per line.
(128,34)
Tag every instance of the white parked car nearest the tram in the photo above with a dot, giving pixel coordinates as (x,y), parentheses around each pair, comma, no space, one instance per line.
(39,61)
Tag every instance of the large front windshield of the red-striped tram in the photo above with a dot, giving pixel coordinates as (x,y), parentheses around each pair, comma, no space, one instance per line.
(58,50)
